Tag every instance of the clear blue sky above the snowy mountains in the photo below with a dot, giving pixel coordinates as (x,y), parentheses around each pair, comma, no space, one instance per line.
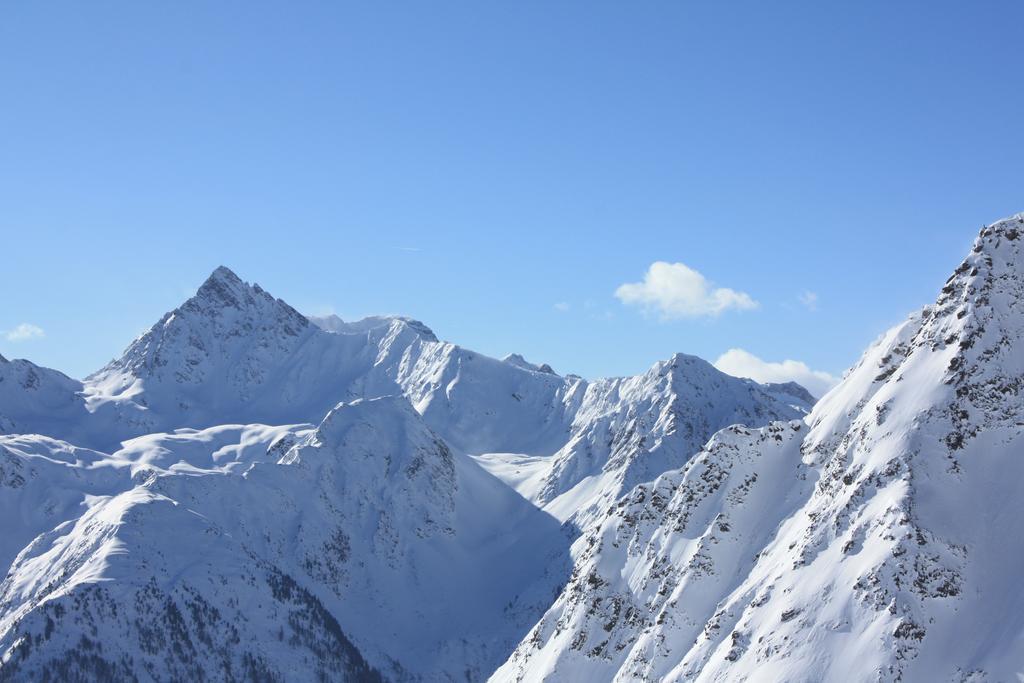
(500,170)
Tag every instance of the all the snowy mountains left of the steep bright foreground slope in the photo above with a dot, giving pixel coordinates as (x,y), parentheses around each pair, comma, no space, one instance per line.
(242,477)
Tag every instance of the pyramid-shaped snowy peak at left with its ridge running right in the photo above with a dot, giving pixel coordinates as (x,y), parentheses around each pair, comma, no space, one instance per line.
(233,354)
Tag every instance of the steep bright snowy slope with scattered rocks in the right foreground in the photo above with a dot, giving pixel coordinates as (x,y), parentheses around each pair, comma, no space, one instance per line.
(876,542)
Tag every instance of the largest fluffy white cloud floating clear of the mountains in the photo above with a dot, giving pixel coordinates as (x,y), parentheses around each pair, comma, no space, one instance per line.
(675,290)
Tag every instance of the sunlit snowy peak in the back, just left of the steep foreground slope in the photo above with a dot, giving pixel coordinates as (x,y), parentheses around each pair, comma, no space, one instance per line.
(630,431)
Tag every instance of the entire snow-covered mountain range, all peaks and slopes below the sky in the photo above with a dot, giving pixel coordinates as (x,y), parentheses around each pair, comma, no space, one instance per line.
(250,494)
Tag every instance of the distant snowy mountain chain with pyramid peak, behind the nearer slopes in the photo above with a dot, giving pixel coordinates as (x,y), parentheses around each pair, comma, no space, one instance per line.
(235,355)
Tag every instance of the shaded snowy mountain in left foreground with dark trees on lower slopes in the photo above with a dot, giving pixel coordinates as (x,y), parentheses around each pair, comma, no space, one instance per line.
(364,543)
